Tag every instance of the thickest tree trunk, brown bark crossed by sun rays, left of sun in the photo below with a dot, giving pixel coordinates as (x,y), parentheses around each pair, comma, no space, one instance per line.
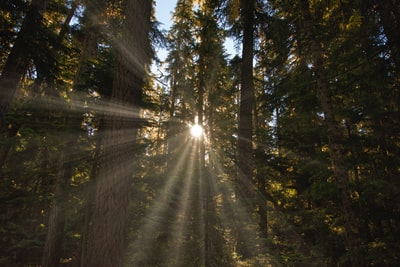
(106,236)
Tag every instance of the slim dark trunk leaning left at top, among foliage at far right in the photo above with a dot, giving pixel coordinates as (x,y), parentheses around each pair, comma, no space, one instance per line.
(336,140)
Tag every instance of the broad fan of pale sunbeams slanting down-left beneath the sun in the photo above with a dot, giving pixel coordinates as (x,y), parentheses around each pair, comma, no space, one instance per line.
(170,218)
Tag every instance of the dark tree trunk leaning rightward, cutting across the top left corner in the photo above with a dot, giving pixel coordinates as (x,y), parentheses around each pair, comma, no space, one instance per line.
(17,62)
